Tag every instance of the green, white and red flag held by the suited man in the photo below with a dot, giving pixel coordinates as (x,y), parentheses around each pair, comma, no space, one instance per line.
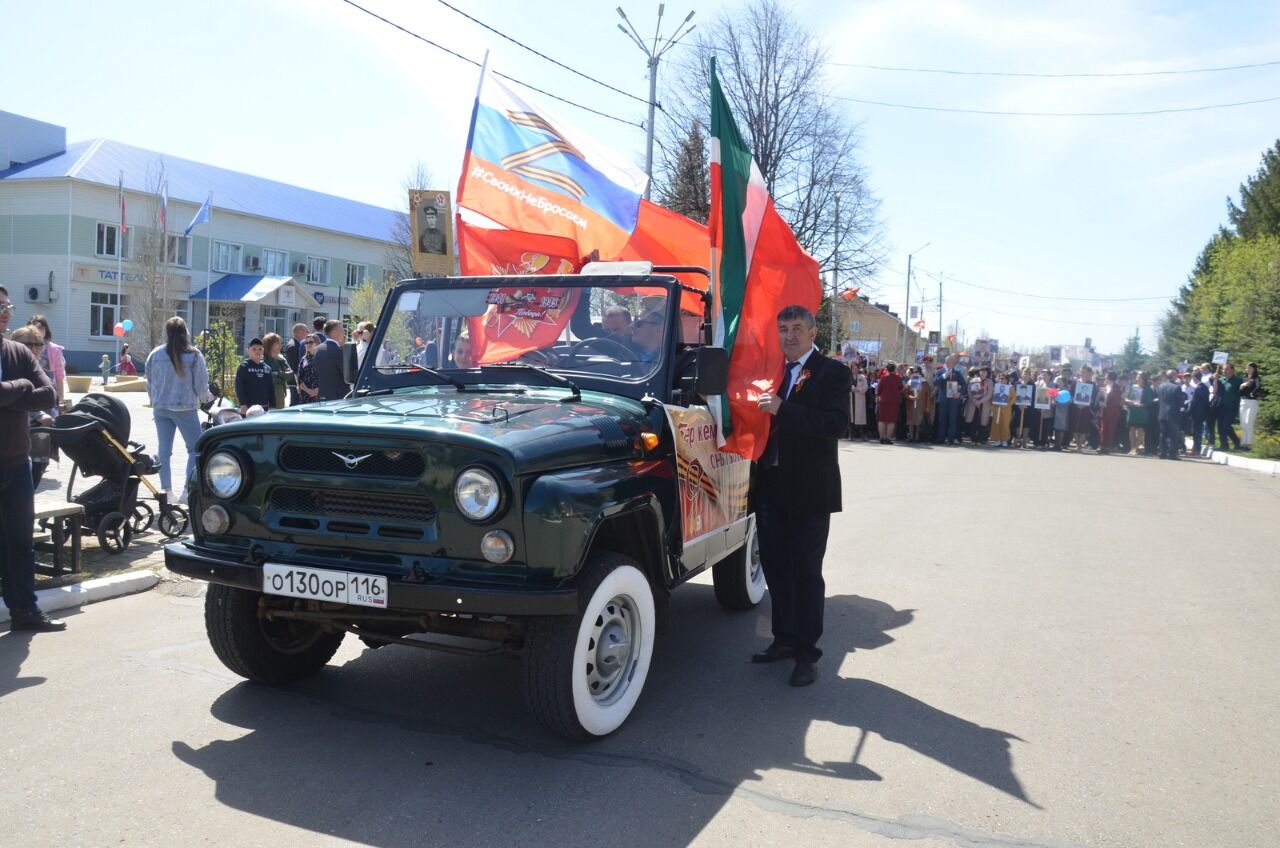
(758,268)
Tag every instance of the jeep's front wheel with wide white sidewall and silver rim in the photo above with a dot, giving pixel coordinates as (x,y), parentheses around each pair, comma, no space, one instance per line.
(584,673)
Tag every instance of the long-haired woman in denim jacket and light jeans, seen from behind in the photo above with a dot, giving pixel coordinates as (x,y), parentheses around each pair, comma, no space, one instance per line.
(177,382)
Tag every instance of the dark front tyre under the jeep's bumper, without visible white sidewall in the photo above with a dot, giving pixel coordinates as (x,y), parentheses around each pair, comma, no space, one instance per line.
(263,650)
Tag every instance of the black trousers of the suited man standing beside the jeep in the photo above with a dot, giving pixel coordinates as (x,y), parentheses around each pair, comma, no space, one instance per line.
(793,546)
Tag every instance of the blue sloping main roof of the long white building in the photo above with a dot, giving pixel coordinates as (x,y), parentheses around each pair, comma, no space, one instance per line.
(102,161)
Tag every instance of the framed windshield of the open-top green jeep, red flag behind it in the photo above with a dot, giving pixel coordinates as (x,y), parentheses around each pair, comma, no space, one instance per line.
(615,334)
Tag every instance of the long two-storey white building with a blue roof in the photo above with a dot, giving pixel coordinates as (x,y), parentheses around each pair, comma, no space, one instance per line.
(272,254)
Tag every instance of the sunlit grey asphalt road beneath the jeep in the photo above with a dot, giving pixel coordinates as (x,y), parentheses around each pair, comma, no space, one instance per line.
(1022,650)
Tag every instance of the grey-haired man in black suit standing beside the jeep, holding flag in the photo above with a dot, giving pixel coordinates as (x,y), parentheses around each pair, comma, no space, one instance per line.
(798,489)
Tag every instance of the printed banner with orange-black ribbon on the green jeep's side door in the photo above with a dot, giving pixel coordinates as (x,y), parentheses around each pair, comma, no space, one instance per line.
(714,485)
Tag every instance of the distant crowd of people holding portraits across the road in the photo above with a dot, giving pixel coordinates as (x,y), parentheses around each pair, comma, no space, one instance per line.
(1058,409)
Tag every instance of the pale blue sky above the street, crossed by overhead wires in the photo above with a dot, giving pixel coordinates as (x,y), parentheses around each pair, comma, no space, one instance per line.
(317,94)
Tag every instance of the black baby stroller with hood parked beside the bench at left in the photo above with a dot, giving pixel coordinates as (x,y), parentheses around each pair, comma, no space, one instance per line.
(95,435)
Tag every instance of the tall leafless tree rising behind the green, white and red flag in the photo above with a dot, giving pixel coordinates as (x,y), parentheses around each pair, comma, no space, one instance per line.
(771,70)
